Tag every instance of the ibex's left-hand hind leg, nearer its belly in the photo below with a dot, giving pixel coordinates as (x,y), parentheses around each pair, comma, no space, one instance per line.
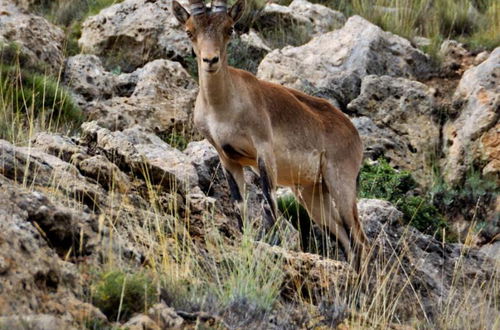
(319,204)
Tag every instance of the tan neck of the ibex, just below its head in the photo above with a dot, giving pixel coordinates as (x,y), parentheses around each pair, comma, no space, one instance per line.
(216,88)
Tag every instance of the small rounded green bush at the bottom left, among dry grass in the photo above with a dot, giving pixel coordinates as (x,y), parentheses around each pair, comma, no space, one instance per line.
(134,292)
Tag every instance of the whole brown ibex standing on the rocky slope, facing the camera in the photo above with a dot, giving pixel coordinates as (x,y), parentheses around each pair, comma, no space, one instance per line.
(288,137)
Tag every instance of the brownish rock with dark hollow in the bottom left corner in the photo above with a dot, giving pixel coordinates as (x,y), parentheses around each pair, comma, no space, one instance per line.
(33,278)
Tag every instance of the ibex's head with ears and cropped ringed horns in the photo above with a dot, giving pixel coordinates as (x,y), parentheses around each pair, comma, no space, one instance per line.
(209,29)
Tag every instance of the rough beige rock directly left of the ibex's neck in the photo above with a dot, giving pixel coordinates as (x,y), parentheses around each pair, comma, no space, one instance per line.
(162,96)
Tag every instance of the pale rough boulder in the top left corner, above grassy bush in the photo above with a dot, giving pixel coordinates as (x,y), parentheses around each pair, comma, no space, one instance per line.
(37,39)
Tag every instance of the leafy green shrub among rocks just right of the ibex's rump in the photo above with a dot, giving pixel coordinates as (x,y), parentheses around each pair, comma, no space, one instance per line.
(380,180)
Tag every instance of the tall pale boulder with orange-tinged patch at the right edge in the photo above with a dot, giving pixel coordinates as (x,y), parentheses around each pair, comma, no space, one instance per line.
(473,138)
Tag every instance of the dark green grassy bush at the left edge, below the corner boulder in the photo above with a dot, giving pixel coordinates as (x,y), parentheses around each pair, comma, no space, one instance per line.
(31,99)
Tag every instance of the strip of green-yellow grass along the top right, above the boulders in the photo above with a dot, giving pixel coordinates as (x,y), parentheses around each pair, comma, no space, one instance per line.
(473,22)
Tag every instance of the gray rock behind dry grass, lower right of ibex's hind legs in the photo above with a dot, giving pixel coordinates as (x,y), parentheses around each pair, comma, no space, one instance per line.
(422,268)
